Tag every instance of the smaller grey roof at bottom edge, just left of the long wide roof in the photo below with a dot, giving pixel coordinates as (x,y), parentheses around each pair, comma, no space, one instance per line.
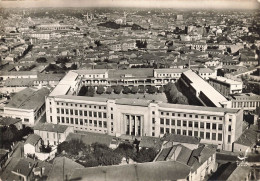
(62,169)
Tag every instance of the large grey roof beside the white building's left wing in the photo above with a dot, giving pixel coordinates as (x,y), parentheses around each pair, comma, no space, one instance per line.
(29,98)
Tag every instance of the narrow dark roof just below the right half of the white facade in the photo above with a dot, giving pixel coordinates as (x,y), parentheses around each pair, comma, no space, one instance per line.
(182,139)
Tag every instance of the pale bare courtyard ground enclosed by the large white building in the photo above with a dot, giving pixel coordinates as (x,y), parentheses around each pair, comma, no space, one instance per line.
(156,96)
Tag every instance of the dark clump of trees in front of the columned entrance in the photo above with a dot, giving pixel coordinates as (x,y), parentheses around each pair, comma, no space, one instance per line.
(98,154)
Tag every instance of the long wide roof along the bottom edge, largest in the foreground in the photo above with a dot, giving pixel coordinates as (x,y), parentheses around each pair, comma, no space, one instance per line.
(152,171)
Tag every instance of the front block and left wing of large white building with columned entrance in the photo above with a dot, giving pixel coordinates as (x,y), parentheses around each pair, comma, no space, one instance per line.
(136,117)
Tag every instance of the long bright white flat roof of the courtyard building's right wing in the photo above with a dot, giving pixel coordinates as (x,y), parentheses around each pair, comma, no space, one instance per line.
(205,88)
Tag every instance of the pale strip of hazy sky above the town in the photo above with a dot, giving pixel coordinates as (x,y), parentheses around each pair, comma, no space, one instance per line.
(206,4)
